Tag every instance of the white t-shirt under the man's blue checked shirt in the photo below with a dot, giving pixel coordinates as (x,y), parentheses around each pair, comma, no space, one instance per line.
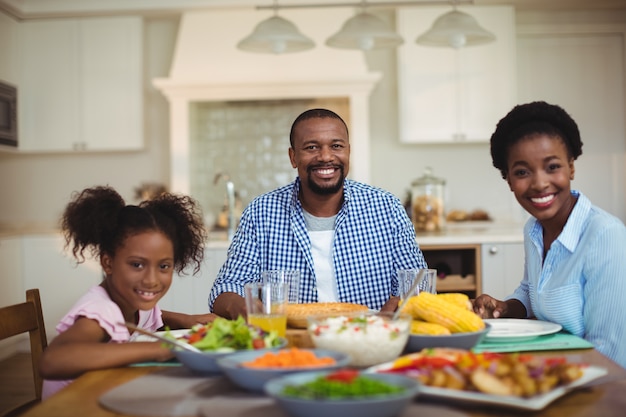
(322,232)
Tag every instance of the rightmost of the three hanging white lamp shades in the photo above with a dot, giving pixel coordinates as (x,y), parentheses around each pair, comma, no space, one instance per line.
(455,29)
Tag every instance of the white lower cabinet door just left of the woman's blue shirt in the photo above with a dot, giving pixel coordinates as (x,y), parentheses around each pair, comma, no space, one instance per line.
(502,268)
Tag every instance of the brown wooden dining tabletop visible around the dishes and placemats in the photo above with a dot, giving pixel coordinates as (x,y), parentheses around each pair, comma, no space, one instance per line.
(605,396)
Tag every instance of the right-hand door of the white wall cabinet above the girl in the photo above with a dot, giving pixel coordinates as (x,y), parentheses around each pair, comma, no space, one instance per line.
(112,97)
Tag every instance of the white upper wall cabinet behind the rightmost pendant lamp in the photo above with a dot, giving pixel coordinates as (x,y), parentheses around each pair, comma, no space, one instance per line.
(451,95)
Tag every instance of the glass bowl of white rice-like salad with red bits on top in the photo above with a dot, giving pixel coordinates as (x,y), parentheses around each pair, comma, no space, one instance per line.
(369,338)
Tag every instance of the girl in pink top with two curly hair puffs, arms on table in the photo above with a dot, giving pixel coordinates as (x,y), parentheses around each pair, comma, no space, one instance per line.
(139,248)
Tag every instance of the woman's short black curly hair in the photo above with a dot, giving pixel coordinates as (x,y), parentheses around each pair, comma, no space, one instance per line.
(529,119)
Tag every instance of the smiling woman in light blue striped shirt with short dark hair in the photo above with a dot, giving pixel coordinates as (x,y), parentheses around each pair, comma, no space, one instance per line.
(575,266)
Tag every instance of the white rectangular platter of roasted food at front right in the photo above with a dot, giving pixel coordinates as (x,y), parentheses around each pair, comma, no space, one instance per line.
(512,380)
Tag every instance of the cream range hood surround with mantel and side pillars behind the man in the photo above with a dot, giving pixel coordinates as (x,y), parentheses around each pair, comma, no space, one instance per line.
(208,67)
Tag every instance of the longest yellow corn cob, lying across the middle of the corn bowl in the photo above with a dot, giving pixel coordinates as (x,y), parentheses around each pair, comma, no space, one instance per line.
(433,309)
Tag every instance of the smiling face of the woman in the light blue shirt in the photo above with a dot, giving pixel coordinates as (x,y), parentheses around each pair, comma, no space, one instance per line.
(539,174)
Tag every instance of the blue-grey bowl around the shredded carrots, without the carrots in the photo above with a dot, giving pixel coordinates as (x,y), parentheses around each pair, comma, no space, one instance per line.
(253,379)
